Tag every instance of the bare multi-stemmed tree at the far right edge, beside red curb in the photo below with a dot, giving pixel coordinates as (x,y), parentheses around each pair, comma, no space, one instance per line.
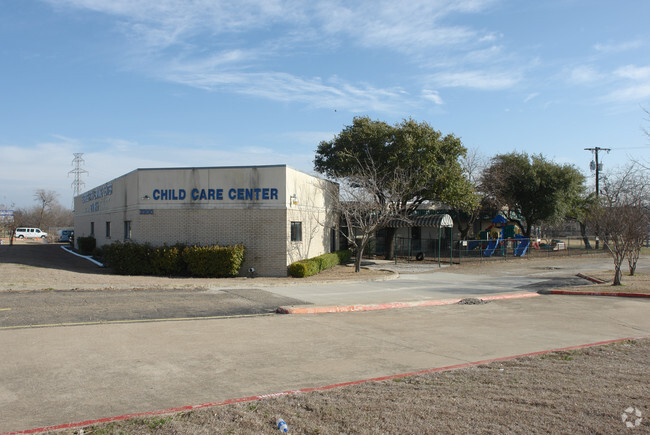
(622,217)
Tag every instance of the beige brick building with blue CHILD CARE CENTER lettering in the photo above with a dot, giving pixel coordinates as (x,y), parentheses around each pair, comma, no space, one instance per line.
(279,214)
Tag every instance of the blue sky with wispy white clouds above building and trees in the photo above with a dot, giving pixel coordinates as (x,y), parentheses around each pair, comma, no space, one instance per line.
(195,83)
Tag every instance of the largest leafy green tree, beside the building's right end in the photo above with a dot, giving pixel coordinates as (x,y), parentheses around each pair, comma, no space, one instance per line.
(419,160)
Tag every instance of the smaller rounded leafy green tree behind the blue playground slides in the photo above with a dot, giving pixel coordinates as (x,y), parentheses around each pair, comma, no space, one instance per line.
(531,189)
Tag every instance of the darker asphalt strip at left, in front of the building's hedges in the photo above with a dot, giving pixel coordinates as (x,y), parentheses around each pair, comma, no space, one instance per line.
(75,307)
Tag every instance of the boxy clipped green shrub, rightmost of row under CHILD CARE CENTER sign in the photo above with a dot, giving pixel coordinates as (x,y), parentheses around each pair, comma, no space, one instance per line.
(214,261)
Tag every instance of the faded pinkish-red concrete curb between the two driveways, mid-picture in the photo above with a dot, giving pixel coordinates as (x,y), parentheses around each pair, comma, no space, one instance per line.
(390,305)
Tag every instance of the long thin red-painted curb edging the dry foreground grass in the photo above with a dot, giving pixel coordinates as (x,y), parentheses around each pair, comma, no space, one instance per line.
(308,390)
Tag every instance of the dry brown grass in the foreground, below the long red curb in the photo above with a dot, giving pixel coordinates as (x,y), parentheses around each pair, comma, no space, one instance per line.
(592,390)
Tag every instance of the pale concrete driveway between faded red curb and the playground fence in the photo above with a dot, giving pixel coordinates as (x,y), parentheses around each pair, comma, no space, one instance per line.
(424,282)
